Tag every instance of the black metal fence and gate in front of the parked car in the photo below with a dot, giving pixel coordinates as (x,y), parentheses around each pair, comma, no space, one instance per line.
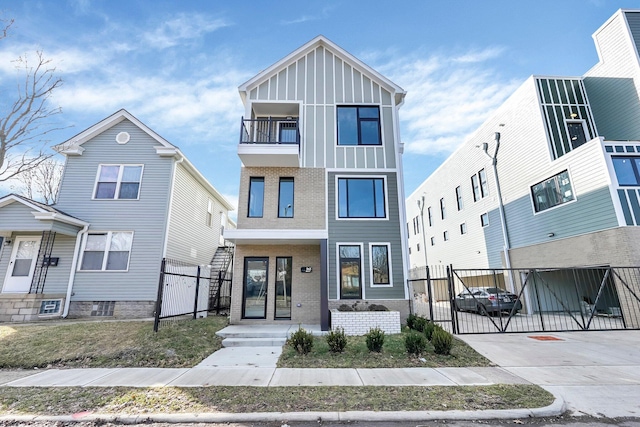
(467,301)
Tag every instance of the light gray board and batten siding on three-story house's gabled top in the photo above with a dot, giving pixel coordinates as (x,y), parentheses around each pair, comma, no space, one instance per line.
(322,81)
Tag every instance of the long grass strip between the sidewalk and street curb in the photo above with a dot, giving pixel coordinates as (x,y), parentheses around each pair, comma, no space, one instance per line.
(70,400)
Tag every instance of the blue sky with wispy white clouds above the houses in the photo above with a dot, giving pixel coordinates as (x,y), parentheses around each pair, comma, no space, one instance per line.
(176,65)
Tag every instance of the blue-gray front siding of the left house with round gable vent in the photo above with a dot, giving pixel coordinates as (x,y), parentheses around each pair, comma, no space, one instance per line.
(146,217)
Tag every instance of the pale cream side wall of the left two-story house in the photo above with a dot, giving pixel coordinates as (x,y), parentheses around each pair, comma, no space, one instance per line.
(190,239)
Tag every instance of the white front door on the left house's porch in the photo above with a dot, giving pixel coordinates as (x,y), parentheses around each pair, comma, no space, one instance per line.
(22,264)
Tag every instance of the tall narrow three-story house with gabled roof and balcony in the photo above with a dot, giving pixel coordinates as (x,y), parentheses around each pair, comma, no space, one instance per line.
(321,198)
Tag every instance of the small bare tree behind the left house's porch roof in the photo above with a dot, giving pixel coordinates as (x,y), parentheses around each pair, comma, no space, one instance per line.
(43,182)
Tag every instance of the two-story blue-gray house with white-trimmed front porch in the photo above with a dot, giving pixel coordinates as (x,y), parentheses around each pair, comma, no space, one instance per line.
(128,198)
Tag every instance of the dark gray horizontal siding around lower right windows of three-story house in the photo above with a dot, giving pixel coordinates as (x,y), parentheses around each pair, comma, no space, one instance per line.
(365,232)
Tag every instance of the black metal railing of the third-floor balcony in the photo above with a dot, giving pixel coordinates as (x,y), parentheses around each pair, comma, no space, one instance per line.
(270,131)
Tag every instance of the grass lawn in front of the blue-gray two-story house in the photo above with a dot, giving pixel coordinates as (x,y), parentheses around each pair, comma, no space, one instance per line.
(91,344)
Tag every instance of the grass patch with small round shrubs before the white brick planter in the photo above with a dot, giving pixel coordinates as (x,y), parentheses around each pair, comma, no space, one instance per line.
(394,355)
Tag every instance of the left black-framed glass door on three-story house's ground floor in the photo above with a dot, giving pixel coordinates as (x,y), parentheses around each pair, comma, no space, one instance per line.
(256,271)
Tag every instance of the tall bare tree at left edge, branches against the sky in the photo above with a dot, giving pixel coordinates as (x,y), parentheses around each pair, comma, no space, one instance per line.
(25,119)
